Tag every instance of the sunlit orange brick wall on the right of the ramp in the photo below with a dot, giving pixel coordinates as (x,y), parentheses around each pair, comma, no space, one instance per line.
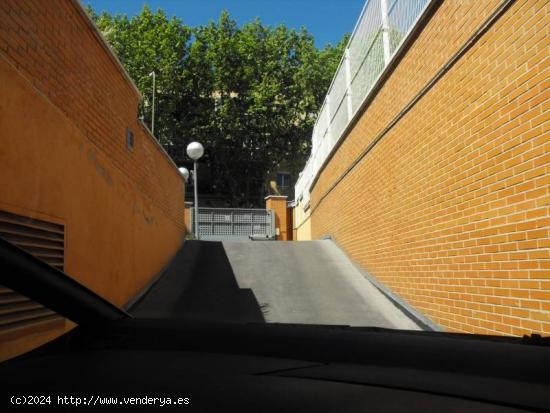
(451,207)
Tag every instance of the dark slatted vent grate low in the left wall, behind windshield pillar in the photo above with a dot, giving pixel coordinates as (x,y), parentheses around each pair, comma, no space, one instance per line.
(20,315)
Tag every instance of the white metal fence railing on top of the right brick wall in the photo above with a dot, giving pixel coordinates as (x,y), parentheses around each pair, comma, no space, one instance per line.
(382,27)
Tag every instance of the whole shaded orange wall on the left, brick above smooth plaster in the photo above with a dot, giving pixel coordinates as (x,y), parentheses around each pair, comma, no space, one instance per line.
(64,109)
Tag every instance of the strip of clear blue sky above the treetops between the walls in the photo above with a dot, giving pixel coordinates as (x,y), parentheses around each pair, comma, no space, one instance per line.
(327,20)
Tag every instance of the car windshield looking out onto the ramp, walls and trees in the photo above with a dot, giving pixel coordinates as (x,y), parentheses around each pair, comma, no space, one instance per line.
(369,164)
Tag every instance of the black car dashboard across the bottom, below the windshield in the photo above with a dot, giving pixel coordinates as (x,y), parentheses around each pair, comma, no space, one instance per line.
(268,368)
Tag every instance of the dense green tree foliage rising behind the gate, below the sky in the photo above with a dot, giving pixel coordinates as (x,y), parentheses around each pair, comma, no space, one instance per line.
(249,93)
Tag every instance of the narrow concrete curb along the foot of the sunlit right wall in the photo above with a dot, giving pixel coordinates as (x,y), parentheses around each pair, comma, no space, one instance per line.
(418,317)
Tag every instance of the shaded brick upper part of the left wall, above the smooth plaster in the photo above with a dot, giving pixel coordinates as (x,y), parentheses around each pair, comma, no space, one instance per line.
(53,45)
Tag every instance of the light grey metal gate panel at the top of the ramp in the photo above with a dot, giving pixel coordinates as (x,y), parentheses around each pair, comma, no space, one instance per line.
(222,224)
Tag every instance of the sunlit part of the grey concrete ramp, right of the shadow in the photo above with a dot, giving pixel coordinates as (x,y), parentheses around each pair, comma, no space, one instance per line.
(311,282)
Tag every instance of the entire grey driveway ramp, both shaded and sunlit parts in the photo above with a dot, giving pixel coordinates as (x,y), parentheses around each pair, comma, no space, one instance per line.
(303,282)
